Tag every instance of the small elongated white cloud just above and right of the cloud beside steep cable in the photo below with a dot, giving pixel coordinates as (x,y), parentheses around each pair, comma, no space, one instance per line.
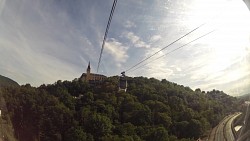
(135,40)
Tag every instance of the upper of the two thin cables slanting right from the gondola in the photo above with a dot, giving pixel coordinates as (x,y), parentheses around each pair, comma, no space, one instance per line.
(165,47)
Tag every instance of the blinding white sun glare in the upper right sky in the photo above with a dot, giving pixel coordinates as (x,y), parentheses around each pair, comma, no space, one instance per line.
(230,42)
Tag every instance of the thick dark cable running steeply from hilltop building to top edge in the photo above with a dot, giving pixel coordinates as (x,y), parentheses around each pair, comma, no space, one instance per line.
(106,32)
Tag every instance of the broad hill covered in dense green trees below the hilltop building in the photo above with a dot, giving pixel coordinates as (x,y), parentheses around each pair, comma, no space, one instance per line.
(149,110)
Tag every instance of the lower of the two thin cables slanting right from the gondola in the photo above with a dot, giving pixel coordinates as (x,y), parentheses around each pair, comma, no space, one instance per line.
(174,50)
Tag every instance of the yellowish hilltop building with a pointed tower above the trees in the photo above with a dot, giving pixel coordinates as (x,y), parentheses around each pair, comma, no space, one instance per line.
(92,77)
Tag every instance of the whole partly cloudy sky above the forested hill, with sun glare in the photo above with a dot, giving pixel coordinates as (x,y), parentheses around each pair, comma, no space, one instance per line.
(42,41)
